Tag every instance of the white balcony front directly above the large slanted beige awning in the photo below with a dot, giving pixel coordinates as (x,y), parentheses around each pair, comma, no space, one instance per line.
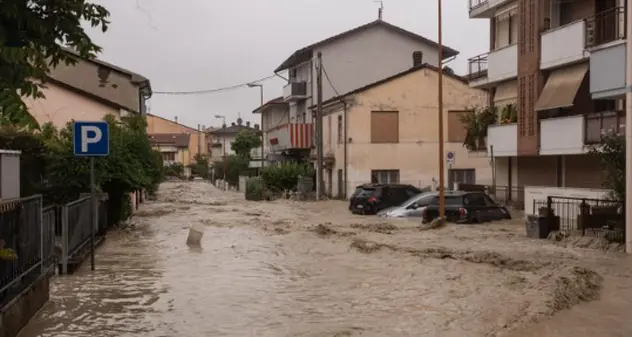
(564,45)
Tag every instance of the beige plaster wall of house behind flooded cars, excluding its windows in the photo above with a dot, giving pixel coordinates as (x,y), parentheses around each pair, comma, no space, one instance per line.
(416,153)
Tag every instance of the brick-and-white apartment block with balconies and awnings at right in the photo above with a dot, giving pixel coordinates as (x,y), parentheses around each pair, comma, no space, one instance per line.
(562,65)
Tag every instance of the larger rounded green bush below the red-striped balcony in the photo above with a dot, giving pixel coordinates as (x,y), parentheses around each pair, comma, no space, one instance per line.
(284,176)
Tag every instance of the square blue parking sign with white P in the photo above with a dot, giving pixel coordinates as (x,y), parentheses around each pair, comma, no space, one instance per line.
(91,139)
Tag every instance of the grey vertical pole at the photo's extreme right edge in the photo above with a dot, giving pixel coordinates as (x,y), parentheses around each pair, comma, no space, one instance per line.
(628,132)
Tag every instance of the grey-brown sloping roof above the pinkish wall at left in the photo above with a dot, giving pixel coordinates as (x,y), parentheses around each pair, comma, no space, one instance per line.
(83,77)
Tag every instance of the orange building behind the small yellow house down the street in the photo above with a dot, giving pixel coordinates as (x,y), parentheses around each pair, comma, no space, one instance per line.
(157,125)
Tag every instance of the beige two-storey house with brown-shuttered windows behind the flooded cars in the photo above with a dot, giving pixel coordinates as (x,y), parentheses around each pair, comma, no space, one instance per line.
(392,134)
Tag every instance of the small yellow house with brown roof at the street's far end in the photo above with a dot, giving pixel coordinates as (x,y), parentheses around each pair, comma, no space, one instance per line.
(174,147)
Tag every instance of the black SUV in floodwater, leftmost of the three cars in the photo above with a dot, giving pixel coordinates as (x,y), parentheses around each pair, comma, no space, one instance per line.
(372,198)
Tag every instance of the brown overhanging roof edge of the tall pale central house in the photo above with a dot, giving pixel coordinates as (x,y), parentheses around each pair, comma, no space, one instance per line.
(306,53)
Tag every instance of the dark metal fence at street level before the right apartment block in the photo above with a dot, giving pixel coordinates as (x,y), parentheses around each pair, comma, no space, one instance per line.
(584,216)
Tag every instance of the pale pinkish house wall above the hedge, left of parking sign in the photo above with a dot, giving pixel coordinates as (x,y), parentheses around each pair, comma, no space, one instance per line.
(62,105)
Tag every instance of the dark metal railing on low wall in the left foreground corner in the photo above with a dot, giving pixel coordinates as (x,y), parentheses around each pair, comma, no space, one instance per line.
(27,245)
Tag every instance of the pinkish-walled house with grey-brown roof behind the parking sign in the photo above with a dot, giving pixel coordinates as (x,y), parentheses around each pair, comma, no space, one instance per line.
(88,91)
